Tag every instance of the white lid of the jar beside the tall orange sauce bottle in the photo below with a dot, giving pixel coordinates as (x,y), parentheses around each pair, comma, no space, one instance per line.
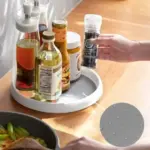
(73,40)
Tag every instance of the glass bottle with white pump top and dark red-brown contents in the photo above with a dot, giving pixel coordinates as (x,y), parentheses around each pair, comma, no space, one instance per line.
(26,49)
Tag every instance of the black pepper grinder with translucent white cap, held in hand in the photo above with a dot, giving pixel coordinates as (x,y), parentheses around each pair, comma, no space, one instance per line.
(92,24)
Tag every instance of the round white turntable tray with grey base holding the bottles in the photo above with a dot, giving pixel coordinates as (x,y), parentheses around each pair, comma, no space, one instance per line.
(82,94)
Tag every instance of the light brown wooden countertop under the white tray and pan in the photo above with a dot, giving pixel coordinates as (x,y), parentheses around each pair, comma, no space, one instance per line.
(122,82)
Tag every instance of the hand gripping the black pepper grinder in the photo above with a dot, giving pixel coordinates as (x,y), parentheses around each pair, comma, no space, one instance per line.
(115,47)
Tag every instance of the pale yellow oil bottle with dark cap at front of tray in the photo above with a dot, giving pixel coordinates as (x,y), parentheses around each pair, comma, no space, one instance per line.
(49,69)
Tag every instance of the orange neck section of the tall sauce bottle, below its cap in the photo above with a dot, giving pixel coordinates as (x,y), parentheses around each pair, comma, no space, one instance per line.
(60,34)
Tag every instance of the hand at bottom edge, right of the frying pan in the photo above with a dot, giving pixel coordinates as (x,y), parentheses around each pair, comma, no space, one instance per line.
(86,144)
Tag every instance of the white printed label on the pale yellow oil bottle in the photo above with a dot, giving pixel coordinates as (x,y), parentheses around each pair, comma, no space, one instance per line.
(50,84)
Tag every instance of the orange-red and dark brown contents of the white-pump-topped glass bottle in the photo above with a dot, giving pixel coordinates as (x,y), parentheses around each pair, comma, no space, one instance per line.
(25,53)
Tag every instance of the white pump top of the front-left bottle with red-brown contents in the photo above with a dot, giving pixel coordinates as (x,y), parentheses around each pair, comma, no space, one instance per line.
(25,23)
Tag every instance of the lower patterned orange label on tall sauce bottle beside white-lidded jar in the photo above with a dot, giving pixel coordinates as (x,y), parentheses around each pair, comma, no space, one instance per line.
(66,77)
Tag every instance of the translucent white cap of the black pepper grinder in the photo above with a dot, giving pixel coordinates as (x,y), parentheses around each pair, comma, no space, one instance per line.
(92,23)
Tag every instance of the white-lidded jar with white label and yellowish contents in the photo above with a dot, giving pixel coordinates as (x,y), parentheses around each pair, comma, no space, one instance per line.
(74,50)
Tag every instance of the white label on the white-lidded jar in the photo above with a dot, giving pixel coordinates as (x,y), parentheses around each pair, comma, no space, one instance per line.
(75,66)
